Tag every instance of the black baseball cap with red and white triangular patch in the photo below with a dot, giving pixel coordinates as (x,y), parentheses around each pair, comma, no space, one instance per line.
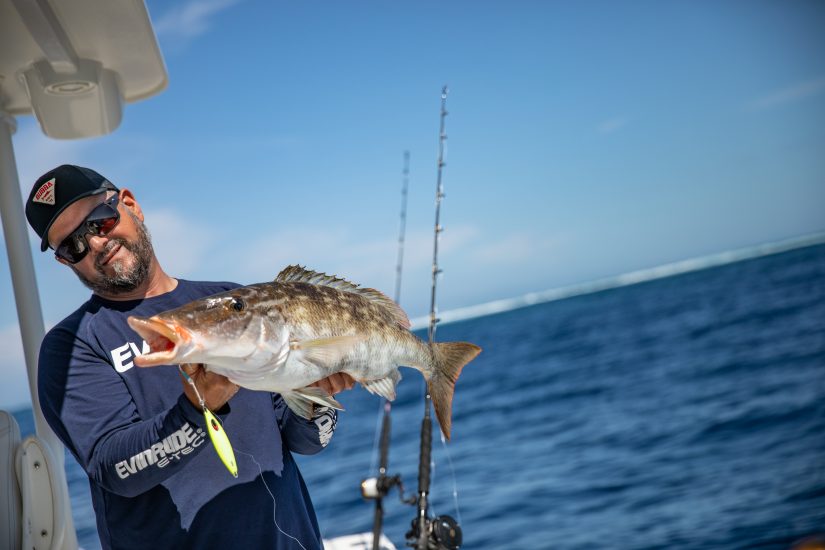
(55,190)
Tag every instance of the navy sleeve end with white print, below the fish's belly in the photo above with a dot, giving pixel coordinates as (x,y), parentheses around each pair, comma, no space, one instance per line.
(304,436)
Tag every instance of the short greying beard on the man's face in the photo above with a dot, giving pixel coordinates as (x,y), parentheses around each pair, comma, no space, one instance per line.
(124,280)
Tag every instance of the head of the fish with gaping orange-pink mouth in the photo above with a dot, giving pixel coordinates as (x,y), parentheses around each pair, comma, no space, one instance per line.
(226,329)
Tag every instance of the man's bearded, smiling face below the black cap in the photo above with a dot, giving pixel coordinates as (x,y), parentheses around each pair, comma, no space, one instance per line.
(118,262)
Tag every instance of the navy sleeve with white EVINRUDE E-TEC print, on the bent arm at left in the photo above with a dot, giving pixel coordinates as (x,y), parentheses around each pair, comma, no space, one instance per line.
(89,407)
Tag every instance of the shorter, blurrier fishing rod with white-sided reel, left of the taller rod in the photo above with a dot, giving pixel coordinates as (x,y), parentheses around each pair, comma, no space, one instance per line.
(377,488)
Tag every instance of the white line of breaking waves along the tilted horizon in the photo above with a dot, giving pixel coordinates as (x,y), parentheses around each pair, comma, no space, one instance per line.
(626,279)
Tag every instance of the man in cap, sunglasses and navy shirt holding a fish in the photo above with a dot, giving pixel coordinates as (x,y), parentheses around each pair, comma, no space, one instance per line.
(140,434)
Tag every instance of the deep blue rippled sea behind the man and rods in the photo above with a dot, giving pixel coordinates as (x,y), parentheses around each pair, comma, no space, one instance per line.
(686,412)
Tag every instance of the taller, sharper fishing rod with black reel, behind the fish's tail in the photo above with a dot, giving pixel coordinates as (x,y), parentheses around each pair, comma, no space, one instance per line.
(442,532)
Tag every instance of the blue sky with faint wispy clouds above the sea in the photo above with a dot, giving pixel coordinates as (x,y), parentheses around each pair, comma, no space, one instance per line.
(585,140)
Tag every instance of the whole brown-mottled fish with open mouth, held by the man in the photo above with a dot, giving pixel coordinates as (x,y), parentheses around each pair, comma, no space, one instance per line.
(284,335)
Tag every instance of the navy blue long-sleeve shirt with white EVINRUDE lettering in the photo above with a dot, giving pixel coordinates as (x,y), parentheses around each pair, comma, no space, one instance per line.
(155,478)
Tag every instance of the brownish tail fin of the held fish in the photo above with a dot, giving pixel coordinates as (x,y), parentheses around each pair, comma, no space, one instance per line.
(448,360)
